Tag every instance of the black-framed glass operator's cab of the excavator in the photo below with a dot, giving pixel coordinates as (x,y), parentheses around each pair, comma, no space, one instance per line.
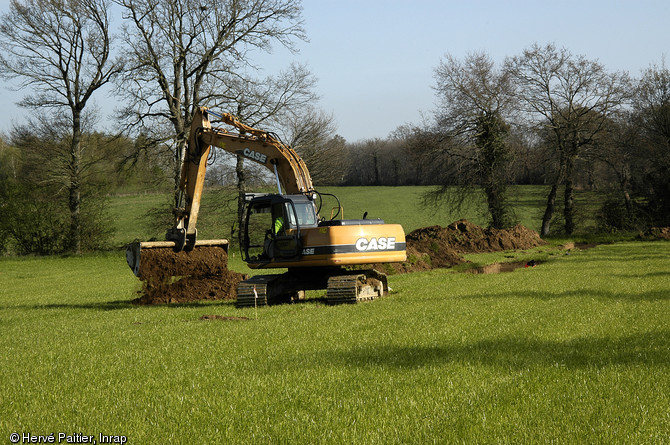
(273,224)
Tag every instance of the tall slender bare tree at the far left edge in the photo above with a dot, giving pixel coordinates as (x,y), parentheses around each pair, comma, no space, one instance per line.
(60,51)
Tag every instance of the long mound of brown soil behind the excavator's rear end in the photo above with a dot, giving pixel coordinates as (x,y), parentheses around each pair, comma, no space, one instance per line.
(437,246)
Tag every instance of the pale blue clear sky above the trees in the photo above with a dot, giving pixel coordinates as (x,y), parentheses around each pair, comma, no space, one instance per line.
(375,59)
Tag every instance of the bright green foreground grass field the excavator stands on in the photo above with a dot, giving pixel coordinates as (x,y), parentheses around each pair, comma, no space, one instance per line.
(574,350)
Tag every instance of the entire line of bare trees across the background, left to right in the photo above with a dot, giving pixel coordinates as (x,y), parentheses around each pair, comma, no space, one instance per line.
(545,116)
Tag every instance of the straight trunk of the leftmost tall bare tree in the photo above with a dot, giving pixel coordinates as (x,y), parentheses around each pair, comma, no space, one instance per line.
(74,200)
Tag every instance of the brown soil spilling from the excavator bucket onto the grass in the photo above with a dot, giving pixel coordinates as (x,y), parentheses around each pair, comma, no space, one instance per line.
(182,277)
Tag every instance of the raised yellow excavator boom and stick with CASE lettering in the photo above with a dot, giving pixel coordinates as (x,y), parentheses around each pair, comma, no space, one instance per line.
(259,146)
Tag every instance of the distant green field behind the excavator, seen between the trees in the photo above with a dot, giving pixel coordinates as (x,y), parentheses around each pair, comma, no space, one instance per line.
(402,205)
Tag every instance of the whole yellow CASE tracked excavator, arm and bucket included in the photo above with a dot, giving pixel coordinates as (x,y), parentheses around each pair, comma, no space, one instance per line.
(282,230)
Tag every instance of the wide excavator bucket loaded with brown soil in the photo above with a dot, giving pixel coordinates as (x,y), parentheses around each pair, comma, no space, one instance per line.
(157,260)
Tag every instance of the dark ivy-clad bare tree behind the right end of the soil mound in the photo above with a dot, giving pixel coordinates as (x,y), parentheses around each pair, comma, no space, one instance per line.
(475,100)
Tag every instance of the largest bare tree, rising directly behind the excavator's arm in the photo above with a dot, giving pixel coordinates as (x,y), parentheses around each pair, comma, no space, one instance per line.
(185,54)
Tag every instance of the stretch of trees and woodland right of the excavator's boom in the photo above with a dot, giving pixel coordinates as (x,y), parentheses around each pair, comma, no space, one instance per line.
(546,117)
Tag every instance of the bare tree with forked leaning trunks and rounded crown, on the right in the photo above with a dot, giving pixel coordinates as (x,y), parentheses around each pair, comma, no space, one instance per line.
(570,98)
